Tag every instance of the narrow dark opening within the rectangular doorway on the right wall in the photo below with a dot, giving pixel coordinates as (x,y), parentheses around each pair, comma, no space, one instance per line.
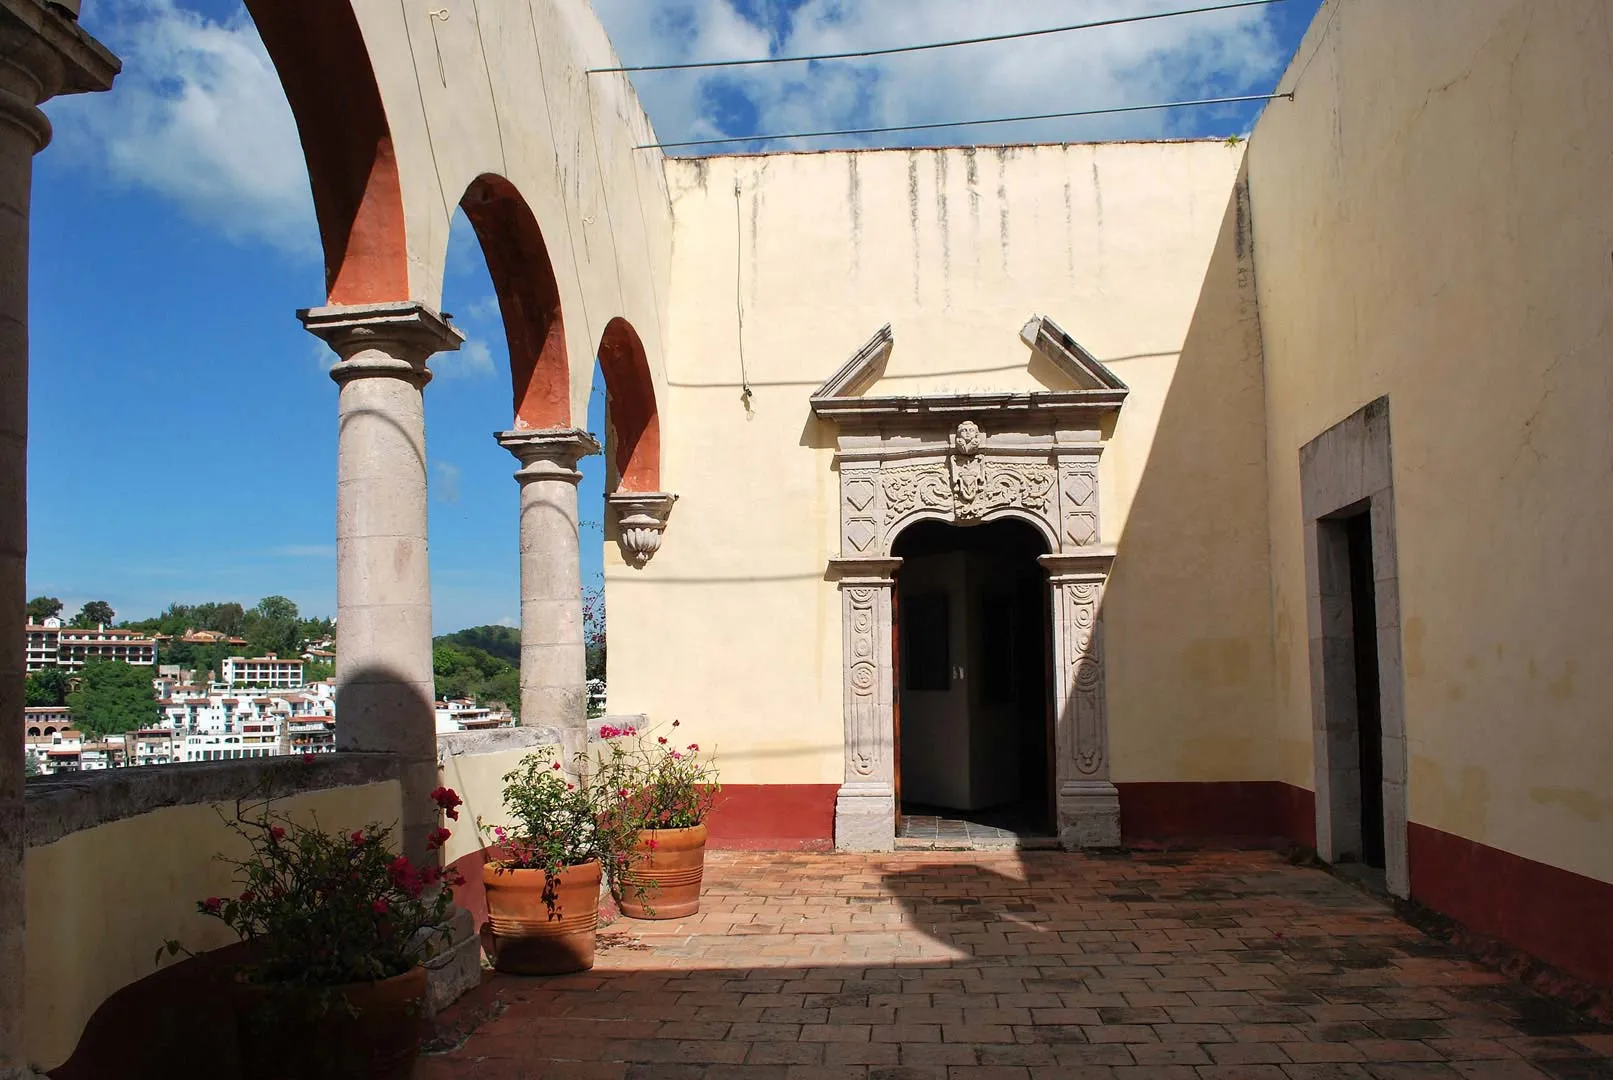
(1370,729)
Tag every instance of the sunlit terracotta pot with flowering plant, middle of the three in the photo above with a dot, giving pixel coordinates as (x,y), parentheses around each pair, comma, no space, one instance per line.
(544,873)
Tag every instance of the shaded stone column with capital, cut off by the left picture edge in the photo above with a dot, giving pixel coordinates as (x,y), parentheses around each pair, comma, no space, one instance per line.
(41,56)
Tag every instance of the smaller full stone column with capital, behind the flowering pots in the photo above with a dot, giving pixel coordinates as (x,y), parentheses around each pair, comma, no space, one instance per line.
(554,662)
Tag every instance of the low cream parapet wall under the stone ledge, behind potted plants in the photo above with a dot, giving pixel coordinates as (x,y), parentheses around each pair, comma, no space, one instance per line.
(101,902)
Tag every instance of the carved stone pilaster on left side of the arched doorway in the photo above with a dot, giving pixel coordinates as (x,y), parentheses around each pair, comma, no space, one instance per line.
(865,810)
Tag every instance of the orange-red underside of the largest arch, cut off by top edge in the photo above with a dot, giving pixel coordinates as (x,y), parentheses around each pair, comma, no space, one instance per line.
(325,70)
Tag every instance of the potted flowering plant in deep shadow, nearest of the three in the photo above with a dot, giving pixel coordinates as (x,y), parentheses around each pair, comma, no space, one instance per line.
(336,928)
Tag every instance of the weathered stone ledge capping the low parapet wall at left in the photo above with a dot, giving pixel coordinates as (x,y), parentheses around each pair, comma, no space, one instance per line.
(62,805)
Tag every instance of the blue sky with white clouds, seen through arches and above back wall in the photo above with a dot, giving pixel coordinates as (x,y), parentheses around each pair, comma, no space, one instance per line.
(183,425)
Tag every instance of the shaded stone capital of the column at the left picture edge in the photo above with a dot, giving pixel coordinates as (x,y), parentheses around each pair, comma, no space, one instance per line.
(44,54)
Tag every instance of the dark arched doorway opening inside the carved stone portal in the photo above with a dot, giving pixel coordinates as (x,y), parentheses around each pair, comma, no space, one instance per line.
(973,702)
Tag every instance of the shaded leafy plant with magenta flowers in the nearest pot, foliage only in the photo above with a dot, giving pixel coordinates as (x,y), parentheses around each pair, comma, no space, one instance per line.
(330,910)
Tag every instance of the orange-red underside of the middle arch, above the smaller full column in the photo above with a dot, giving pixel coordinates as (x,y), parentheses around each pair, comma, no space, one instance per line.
(528,301)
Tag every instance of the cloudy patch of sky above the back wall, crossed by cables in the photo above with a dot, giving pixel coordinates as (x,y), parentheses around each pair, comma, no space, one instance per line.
(1141,64)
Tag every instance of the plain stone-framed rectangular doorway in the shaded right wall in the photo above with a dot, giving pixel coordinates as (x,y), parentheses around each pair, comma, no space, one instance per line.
(1353,578)
